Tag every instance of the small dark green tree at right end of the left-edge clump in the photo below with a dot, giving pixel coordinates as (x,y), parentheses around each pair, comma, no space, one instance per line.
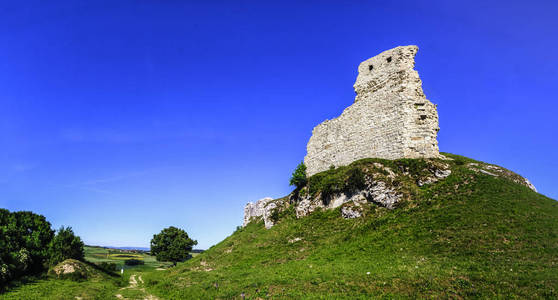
(65,245)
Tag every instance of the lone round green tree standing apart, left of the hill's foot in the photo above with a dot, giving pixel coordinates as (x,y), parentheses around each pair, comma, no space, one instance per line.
(172,244)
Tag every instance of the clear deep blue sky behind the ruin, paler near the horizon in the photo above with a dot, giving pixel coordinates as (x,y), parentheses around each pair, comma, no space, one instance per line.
(120,118)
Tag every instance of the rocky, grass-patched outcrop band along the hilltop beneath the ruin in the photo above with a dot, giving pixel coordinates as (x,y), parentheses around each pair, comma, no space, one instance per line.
(374,183)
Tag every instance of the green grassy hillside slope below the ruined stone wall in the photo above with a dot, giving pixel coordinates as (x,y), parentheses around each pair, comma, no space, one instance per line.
(471,234)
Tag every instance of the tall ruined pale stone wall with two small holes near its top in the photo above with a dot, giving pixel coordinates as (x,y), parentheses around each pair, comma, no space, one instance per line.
(390,118)
